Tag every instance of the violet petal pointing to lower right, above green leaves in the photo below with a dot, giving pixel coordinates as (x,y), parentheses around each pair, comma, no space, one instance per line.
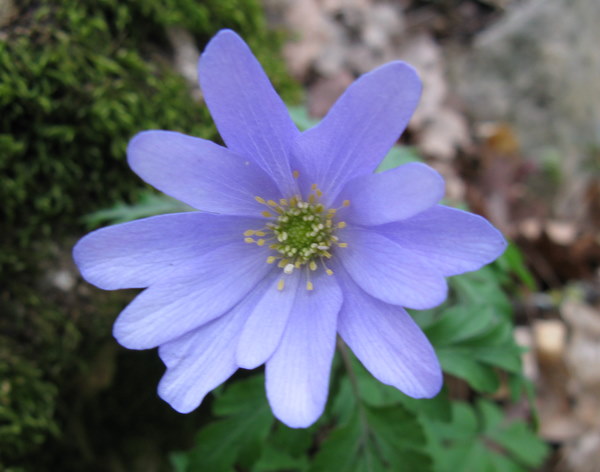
(389,343)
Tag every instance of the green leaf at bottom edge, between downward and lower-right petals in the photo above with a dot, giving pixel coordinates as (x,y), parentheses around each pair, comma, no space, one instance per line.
(380,427)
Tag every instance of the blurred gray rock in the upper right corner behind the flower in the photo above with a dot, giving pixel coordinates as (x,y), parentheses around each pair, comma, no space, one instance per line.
(538,69)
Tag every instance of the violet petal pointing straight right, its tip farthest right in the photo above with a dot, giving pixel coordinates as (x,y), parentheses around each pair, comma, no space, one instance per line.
(449,240)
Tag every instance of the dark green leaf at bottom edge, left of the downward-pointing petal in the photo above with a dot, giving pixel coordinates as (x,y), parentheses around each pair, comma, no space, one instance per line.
(237,438)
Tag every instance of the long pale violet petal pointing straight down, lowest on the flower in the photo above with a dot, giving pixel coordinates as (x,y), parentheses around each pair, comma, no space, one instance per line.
(297,375)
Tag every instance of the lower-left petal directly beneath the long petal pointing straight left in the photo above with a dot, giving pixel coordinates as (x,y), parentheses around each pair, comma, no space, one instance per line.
(208,288)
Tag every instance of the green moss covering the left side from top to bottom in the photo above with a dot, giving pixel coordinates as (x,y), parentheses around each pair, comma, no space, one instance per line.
(77,81)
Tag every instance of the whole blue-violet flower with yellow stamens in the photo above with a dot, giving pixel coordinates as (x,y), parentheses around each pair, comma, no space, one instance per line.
(296,241)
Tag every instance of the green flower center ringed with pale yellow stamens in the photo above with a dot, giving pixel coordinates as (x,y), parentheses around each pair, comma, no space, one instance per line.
(301,233)
